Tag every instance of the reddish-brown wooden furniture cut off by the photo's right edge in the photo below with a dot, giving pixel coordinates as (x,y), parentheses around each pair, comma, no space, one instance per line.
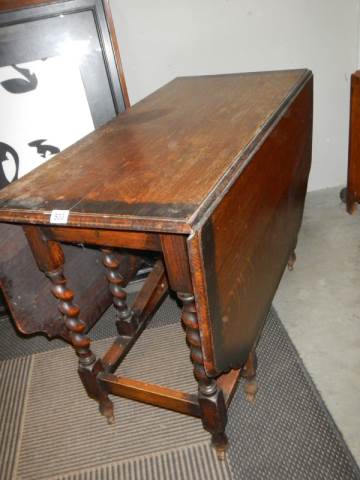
(353,184)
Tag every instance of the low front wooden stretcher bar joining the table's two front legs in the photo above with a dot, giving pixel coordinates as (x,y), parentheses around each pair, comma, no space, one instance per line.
(154,394)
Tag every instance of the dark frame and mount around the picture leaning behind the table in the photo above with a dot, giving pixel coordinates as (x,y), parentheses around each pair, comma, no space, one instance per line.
(33,29)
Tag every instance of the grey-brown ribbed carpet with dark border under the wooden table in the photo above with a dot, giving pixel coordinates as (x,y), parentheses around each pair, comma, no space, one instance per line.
(49,428)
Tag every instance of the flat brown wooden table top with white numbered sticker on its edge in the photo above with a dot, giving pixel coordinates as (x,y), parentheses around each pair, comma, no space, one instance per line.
(161,165)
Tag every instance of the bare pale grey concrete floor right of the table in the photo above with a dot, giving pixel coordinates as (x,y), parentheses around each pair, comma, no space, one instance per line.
(319,304)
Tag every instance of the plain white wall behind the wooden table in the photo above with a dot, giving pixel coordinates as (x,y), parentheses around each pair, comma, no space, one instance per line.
(162,39)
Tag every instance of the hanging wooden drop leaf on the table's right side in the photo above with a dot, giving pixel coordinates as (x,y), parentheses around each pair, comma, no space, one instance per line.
(248,239)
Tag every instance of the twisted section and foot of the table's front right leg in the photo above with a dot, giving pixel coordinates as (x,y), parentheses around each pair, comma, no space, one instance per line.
(211,398)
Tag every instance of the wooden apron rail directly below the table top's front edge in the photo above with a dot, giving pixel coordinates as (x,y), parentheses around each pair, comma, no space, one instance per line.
(110,238)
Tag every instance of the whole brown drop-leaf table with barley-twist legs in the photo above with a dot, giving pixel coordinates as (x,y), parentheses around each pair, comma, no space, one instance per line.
(210,172)
